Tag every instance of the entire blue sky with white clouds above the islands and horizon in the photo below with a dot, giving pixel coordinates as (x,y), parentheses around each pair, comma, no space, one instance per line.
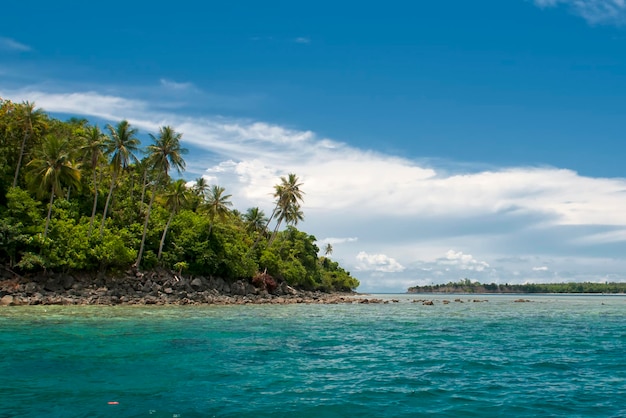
(436,140)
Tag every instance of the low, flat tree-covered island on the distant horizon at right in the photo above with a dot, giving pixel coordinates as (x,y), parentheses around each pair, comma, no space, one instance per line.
(467,286)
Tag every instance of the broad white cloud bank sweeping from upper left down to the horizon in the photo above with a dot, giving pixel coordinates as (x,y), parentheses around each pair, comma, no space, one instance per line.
(407,214)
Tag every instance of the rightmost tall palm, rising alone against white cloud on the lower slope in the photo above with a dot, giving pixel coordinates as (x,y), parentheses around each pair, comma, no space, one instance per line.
(288,197)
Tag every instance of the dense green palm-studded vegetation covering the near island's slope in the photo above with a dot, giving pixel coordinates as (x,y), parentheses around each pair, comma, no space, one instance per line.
(76,198)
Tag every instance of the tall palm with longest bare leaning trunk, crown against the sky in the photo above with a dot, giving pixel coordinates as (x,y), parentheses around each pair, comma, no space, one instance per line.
(164,154)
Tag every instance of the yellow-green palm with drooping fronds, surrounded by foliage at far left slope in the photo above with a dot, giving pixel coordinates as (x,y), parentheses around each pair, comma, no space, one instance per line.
(51,168)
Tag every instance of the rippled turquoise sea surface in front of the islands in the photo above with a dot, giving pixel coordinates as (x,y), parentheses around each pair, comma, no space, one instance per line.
(559,356)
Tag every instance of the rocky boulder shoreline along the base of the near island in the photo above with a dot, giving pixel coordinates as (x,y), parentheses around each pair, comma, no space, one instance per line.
(158,287)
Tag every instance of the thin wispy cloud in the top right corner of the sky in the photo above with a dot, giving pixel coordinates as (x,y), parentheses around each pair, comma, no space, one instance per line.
(593,11)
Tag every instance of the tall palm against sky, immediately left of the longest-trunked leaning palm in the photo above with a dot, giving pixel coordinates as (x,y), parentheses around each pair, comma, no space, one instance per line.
(122,146)
